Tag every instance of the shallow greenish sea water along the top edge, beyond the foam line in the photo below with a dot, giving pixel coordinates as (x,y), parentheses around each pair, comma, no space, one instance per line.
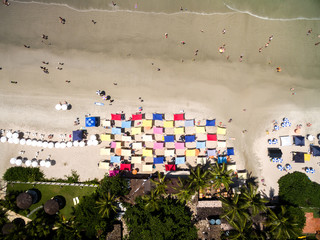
(285,10)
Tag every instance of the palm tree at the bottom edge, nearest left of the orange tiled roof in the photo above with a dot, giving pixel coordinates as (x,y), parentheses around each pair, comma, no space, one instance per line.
(282,226)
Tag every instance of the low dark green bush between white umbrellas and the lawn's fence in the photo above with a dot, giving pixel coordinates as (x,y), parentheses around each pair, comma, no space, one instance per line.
(23,174)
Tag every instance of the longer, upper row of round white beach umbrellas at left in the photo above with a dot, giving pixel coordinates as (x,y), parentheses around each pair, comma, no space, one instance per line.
(45,144)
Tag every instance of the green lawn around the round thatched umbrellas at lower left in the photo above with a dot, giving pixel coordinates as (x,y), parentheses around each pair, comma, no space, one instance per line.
(49,191)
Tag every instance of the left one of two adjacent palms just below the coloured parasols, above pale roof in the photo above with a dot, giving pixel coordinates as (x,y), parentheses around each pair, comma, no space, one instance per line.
(198,178)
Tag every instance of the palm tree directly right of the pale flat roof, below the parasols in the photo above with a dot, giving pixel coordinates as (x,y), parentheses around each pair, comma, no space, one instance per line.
(235,208)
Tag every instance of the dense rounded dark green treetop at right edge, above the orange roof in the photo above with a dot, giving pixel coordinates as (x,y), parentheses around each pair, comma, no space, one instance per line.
(297,189)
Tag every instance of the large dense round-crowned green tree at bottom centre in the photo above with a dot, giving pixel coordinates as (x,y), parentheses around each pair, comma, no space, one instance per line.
(170,220)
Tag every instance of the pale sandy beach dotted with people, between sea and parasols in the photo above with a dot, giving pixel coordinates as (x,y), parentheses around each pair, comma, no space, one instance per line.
(128,48)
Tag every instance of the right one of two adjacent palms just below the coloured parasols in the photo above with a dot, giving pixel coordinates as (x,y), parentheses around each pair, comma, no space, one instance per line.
(220,175)
